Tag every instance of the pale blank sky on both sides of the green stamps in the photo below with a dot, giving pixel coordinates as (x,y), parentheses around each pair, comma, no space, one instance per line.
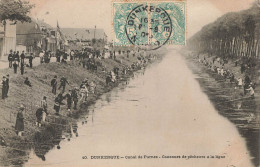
(91,13)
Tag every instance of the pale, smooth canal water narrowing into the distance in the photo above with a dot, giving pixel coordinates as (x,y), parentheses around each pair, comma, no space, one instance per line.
(161,112)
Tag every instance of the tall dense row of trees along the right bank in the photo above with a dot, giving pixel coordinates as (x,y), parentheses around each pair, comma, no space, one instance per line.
(232,35)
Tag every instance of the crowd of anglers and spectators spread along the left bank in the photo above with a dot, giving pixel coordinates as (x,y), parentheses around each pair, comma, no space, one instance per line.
(73,95)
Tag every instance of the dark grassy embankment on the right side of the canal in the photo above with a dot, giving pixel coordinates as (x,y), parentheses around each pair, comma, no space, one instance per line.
(230,101)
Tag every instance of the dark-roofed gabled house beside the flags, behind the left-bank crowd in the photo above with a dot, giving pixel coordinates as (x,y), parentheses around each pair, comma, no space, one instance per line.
(37,35)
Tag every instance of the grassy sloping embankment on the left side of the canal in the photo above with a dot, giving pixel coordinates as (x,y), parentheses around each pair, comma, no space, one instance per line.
(18,147)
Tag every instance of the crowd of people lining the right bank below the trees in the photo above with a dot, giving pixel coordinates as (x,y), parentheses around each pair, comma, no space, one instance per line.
(242,80)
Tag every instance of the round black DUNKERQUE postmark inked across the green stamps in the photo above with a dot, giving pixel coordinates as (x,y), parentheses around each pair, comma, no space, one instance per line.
(148,26)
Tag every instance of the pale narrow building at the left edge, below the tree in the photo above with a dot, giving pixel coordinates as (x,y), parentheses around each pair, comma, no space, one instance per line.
(7,38)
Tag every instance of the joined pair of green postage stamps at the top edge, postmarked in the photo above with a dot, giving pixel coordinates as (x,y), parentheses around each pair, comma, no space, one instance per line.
(149,23)
